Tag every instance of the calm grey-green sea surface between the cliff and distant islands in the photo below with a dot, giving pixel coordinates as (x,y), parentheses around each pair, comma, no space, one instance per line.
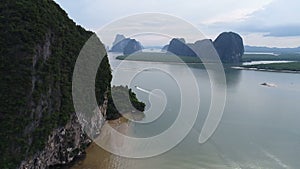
(260,127)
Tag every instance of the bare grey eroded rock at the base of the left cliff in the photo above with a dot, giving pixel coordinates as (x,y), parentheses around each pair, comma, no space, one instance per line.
(68,142)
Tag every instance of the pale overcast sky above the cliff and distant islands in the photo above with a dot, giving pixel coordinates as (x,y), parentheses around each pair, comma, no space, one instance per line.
(274,23)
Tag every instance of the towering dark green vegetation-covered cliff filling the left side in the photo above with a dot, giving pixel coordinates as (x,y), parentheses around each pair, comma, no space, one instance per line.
(38,50)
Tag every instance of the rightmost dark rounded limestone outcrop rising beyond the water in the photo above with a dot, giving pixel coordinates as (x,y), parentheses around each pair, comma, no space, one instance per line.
(230,47)
